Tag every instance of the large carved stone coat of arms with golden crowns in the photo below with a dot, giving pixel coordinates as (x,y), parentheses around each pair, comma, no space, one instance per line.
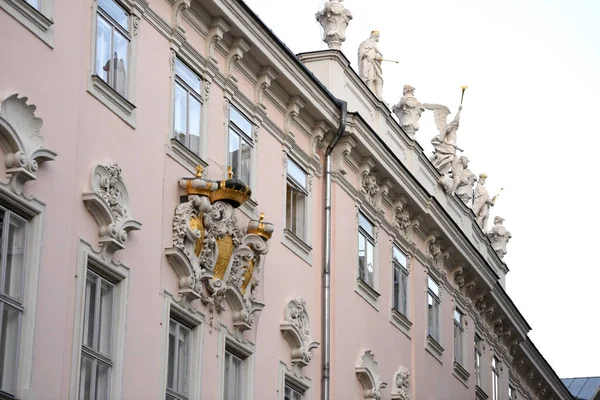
(215,258)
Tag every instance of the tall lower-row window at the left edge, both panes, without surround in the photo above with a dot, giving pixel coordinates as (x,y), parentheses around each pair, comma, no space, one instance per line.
(13,241)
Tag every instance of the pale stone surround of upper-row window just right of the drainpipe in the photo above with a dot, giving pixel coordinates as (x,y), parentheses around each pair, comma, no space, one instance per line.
(370,294)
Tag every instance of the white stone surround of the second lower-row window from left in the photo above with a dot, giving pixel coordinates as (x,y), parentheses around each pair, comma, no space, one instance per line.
(119,276)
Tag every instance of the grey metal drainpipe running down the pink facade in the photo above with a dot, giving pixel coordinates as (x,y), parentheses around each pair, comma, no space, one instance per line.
(327,267)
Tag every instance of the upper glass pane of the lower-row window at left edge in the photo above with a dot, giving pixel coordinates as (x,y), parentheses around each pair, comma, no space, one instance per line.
(15,256)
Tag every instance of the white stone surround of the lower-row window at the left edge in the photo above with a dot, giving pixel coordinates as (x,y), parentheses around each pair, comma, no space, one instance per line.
(33,211)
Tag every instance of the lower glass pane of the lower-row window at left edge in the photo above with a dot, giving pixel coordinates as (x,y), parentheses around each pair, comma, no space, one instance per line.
(8,348)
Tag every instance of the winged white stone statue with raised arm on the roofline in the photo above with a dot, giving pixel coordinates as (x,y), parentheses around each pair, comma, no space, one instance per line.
(444,144)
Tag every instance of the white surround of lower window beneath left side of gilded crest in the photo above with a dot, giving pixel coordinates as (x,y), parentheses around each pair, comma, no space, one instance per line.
(193,319)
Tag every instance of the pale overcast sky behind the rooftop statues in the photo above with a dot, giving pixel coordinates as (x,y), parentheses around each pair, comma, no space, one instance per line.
(530,120)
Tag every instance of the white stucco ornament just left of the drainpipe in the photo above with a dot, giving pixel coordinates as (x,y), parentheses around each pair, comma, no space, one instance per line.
(296,330)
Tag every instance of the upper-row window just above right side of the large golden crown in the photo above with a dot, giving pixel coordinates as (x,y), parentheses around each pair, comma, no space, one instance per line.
(240,145)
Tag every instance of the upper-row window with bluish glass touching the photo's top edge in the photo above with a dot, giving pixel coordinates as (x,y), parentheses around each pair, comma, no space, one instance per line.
(112,45)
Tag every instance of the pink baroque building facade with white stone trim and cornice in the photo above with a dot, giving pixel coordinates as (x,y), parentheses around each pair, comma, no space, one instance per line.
(142,140)
